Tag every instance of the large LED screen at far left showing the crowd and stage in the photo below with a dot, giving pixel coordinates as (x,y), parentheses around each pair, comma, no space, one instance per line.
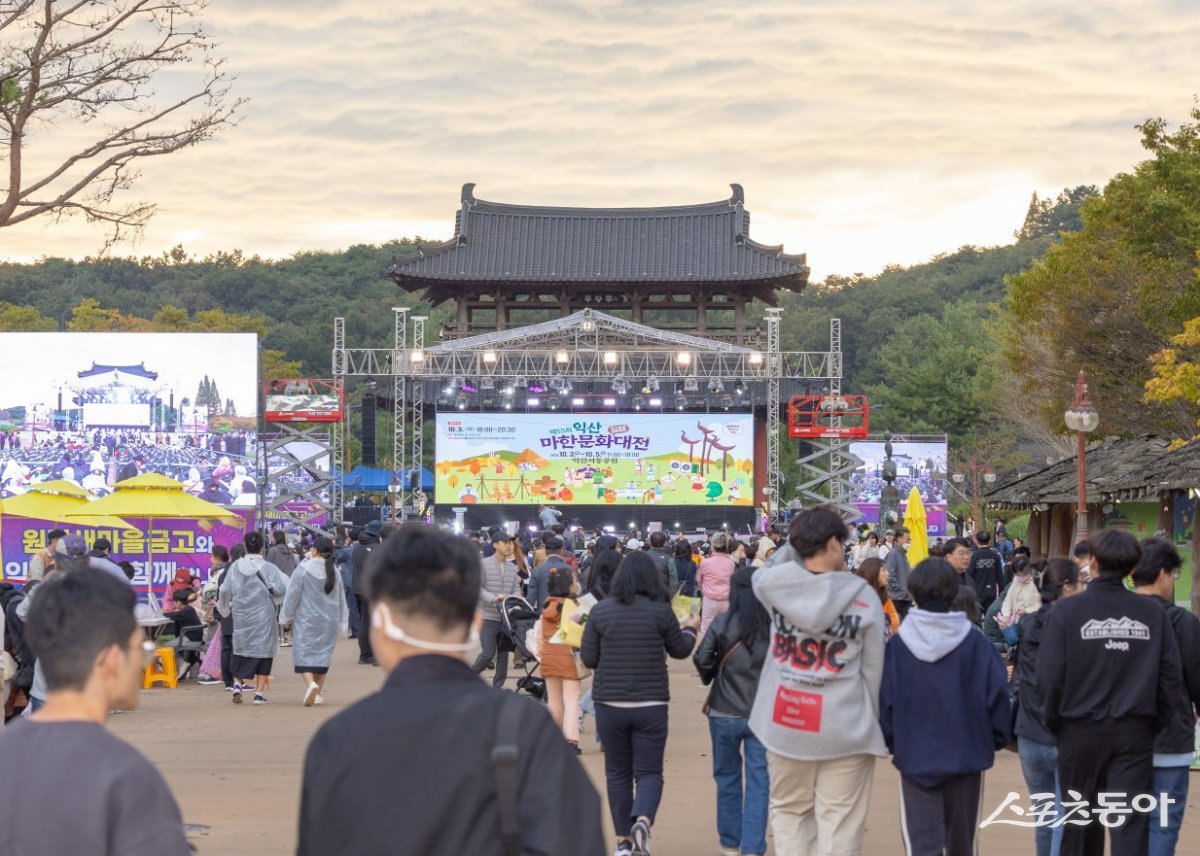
(95,409)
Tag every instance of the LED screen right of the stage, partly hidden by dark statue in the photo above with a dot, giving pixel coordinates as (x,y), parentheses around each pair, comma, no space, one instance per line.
(921,464)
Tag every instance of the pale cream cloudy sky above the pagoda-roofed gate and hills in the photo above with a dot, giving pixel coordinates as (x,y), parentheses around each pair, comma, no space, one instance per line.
(866,133)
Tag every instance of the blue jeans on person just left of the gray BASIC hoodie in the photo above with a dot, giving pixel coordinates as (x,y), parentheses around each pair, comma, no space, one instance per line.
(741,815)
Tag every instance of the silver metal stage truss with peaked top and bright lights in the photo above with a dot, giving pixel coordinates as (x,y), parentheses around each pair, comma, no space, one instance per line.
(597,348)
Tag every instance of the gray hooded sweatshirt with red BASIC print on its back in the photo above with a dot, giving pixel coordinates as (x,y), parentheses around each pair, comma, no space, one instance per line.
(819,693)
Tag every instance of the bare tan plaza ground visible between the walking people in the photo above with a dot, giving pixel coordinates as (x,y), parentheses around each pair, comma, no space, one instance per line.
(236,770)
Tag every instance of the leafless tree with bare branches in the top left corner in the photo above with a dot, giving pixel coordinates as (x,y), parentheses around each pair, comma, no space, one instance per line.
(94,64)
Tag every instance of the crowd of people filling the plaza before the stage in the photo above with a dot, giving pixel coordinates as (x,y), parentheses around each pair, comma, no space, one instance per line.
(823,653)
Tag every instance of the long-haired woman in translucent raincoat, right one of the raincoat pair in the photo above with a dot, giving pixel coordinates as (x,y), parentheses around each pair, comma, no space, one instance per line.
(315,608)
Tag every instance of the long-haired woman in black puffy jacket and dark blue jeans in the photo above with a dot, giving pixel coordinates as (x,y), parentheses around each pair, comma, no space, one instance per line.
(627,640)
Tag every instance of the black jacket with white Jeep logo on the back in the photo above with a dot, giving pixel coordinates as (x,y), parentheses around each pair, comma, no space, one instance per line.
(1108,655)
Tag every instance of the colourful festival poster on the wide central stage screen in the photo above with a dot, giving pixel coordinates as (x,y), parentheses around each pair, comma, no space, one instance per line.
(596,459)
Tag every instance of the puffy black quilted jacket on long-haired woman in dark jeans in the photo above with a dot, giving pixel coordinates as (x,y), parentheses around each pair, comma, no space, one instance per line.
(628,644)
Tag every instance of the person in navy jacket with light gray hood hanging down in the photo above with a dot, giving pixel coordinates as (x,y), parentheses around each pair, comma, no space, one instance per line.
(945,713)
